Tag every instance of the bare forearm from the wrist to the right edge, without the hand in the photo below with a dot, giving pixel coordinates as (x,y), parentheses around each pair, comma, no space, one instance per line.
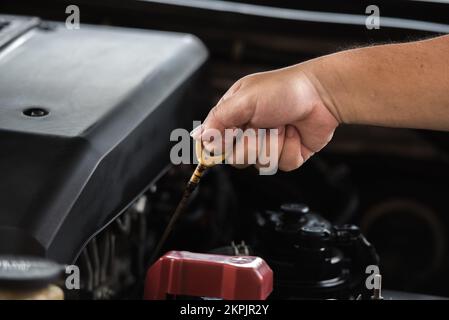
(399,85)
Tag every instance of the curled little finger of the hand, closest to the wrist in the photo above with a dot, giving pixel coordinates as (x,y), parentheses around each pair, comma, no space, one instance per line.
(291,157)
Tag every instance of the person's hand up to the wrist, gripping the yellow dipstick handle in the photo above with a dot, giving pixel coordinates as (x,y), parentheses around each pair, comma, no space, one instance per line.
(285,99)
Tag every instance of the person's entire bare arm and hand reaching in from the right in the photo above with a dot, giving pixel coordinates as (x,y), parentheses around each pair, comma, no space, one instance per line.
(397,85)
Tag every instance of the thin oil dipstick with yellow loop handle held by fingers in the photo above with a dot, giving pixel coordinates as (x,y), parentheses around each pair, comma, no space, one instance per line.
(205,161)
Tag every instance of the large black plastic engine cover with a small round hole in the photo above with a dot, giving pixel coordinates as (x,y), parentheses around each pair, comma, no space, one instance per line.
(113,96)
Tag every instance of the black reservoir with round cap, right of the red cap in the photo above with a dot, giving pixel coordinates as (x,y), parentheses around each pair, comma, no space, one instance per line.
(311,257)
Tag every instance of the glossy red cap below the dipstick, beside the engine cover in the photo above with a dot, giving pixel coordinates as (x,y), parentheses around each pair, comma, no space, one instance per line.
(208,275)
